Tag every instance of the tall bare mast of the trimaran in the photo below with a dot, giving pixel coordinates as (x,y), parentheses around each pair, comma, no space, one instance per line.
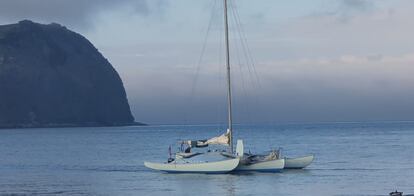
(226,29)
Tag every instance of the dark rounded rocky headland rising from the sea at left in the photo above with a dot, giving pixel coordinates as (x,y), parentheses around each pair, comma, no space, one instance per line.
(51,76)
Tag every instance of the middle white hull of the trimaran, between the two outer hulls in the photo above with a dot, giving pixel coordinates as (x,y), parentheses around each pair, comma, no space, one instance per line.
(265,166)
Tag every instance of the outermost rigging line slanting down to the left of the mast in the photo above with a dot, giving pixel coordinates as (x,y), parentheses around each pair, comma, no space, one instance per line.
(200,59)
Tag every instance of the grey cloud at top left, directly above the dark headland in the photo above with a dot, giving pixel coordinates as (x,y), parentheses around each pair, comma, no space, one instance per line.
(74,13)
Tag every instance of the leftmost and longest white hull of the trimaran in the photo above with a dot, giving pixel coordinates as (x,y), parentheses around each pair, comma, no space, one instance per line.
(216,167)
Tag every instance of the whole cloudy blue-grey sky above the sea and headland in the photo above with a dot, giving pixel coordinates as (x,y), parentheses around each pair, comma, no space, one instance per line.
(306,61)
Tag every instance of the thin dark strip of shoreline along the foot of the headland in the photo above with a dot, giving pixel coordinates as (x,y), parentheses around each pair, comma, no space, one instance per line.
(28,126)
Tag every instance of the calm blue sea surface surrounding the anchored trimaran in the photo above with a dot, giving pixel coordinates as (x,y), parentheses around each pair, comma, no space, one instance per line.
(351,159)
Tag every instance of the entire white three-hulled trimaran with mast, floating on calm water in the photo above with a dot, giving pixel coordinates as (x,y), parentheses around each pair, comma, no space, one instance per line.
(225,161)
